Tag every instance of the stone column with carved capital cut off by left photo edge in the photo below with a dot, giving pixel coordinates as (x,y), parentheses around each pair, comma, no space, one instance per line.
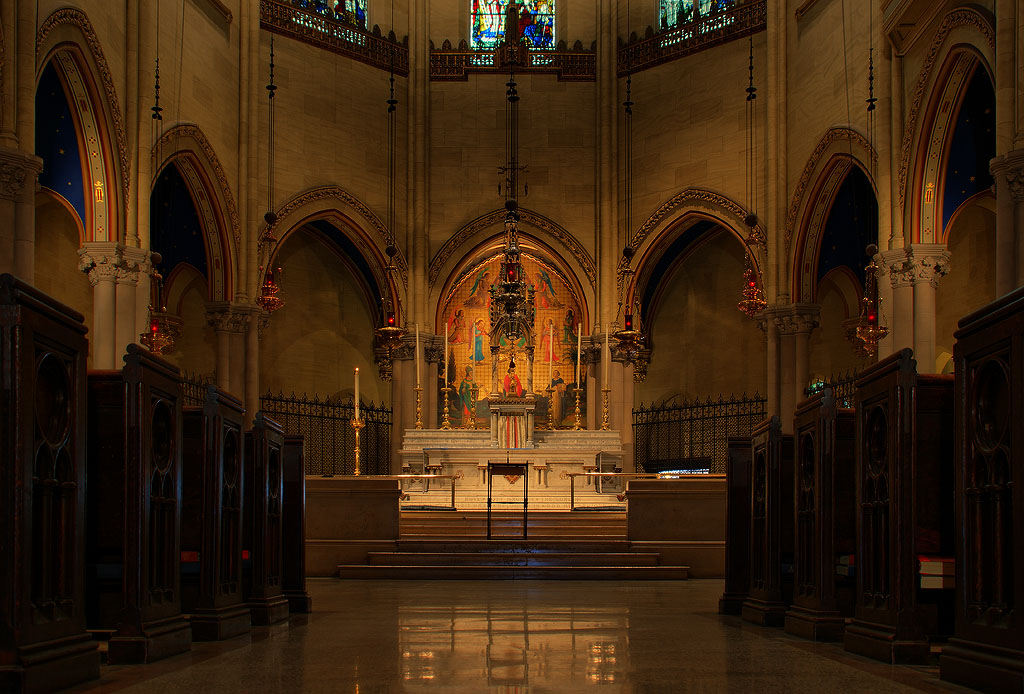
(19,170)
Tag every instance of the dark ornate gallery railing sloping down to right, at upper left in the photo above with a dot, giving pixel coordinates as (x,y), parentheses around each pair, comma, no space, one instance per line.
(315,24)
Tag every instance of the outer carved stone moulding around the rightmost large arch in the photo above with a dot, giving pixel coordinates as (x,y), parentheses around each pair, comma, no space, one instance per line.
(963,29)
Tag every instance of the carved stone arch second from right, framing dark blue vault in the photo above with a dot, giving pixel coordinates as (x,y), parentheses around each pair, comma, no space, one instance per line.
(839,152)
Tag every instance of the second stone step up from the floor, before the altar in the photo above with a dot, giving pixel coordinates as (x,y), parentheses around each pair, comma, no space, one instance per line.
(525,558)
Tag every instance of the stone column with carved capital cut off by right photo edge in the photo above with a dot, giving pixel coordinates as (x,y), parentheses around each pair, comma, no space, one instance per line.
(1008,170)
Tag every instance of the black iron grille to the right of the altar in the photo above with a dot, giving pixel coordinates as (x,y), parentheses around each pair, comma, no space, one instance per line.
(693,436)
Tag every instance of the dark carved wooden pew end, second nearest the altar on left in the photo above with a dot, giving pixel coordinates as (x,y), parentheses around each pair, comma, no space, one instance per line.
(263,528)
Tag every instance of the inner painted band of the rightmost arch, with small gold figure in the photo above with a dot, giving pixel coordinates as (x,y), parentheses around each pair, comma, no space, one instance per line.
(927,182)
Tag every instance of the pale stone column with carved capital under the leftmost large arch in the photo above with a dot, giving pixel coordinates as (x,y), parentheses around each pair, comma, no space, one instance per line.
(102,262)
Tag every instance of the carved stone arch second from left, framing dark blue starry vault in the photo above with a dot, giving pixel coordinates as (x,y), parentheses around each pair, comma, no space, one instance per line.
(187,148)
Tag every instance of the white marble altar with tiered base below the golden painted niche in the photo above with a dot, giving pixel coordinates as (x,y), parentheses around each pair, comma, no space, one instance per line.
(465,454)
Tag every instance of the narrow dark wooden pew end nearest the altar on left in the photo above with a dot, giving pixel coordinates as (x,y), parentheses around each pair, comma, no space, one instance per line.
(293,580)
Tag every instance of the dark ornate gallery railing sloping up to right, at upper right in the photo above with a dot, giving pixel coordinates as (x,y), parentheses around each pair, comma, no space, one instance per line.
(704,32)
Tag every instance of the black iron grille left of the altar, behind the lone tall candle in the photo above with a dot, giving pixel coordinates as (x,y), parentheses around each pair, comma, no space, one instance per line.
(327,427)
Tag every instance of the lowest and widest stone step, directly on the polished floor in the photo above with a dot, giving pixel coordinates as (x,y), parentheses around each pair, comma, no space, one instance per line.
(492,573)
